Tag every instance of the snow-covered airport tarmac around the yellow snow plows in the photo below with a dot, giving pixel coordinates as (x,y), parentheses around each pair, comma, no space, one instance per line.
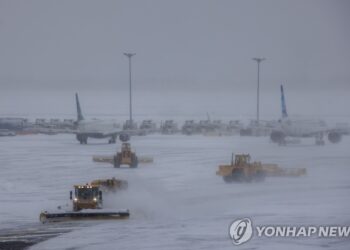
(177,202)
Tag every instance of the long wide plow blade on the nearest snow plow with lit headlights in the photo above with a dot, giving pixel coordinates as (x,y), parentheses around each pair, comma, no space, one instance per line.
(83,215)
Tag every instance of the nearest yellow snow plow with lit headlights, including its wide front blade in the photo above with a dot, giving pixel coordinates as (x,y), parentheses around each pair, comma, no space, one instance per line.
(87,204)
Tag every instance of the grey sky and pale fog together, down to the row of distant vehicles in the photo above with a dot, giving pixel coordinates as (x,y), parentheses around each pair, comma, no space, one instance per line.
(192,57)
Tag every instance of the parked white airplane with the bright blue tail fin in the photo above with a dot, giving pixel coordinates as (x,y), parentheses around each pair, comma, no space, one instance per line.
(296,128)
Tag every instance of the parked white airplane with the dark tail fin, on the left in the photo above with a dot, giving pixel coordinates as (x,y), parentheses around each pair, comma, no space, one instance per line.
(97,129)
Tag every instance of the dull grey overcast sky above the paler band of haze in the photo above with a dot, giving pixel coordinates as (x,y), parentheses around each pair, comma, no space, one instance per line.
(182,44)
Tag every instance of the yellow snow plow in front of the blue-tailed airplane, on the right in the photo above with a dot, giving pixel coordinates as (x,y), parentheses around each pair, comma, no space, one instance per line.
(241,169)
